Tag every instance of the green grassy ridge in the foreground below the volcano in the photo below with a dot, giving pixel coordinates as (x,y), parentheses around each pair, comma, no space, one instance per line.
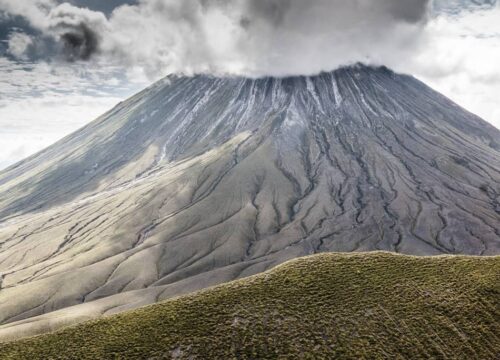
(353,306)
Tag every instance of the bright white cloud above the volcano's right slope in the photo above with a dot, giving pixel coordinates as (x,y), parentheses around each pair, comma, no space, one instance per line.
(459,57)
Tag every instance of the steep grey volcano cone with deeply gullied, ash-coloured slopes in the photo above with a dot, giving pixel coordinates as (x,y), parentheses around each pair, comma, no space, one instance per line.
(197,181)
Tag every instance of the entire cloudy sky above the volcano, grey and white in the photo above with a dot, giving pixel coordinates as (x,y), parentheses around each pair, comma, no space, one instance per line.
(63,63)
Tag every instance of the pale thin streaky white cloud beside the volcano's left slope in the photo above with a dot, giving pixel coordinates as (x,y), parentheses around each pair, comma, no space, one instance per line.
(40,103)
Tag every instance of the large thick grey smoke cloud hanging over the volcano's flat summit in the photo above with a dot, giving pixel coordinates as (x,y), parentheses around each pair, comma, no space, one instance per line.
(251,37)
